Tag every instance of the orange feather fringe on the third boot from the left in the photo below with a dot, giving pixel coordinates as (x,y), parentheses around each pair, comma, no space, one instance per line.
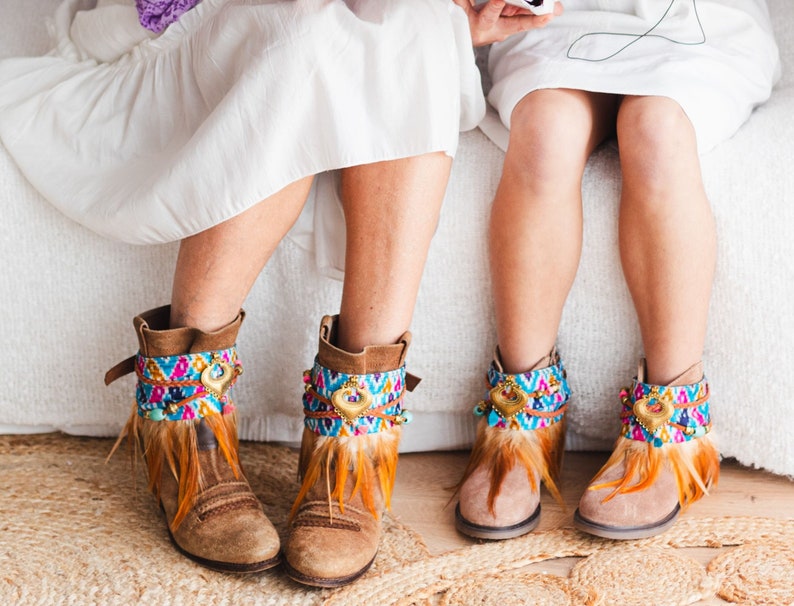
(539,451)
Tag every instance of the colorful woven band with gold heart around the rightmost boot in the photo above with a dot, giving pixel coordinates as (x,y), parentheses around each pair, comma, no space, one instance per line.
(663,415)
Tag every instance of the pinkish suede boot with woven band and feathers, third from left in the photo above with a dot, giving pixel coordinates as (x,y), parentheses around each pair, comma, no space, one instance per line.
(520,441)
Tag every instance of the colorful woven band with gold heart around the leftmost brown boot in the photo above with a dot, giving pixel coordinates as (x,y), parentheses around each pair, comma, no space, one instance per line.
(186,387)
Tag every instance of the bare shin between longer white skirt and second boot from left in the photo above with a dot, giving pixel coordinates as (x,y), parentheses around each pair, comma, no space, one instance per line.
(391,212)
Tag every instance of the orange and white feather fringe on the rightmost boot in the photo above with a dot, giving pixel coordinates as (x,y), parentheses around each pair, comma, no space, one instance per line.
(695,464)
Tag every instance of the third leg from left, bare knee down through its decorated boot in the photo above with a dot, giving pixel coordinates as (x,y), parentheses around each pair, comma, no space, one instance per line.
(535,243)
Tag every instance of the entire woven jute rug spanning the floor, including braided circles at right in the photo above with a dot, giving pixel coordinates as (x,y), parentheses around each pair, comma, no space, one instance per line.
(77,530)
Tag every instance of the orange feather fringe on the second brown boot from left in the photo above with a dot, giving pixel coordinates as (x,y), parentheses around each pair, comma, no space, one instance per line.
(370,458)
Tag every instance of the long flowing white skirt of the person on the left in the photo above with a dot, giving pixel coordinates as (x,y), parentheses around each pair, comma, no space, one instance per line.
(150,139)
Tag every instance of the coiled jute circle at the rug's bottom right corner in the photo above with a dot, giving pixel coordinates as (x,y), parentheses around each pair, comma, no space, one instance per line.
(761,572)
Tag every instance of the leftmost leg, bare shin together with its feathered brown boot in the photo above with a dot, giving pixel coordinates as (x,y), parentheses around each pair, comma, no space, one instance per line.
(184,417)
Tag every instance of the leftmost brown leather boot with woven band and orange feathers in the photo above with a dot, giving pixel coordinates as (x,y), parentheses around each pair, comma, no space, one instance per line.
(184,422)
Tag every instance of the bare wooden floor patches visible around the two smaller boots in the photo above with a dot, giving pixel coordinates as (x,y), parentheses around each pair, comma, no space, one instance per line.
(421,500)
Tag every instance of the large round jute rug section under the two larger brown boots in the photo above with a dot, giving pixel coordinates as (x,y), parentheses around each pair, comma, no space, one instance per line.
(75,530)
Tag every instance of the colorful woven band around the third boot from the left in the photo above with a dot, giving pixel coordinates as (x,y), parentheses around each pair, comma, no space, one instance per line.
(530,400)
